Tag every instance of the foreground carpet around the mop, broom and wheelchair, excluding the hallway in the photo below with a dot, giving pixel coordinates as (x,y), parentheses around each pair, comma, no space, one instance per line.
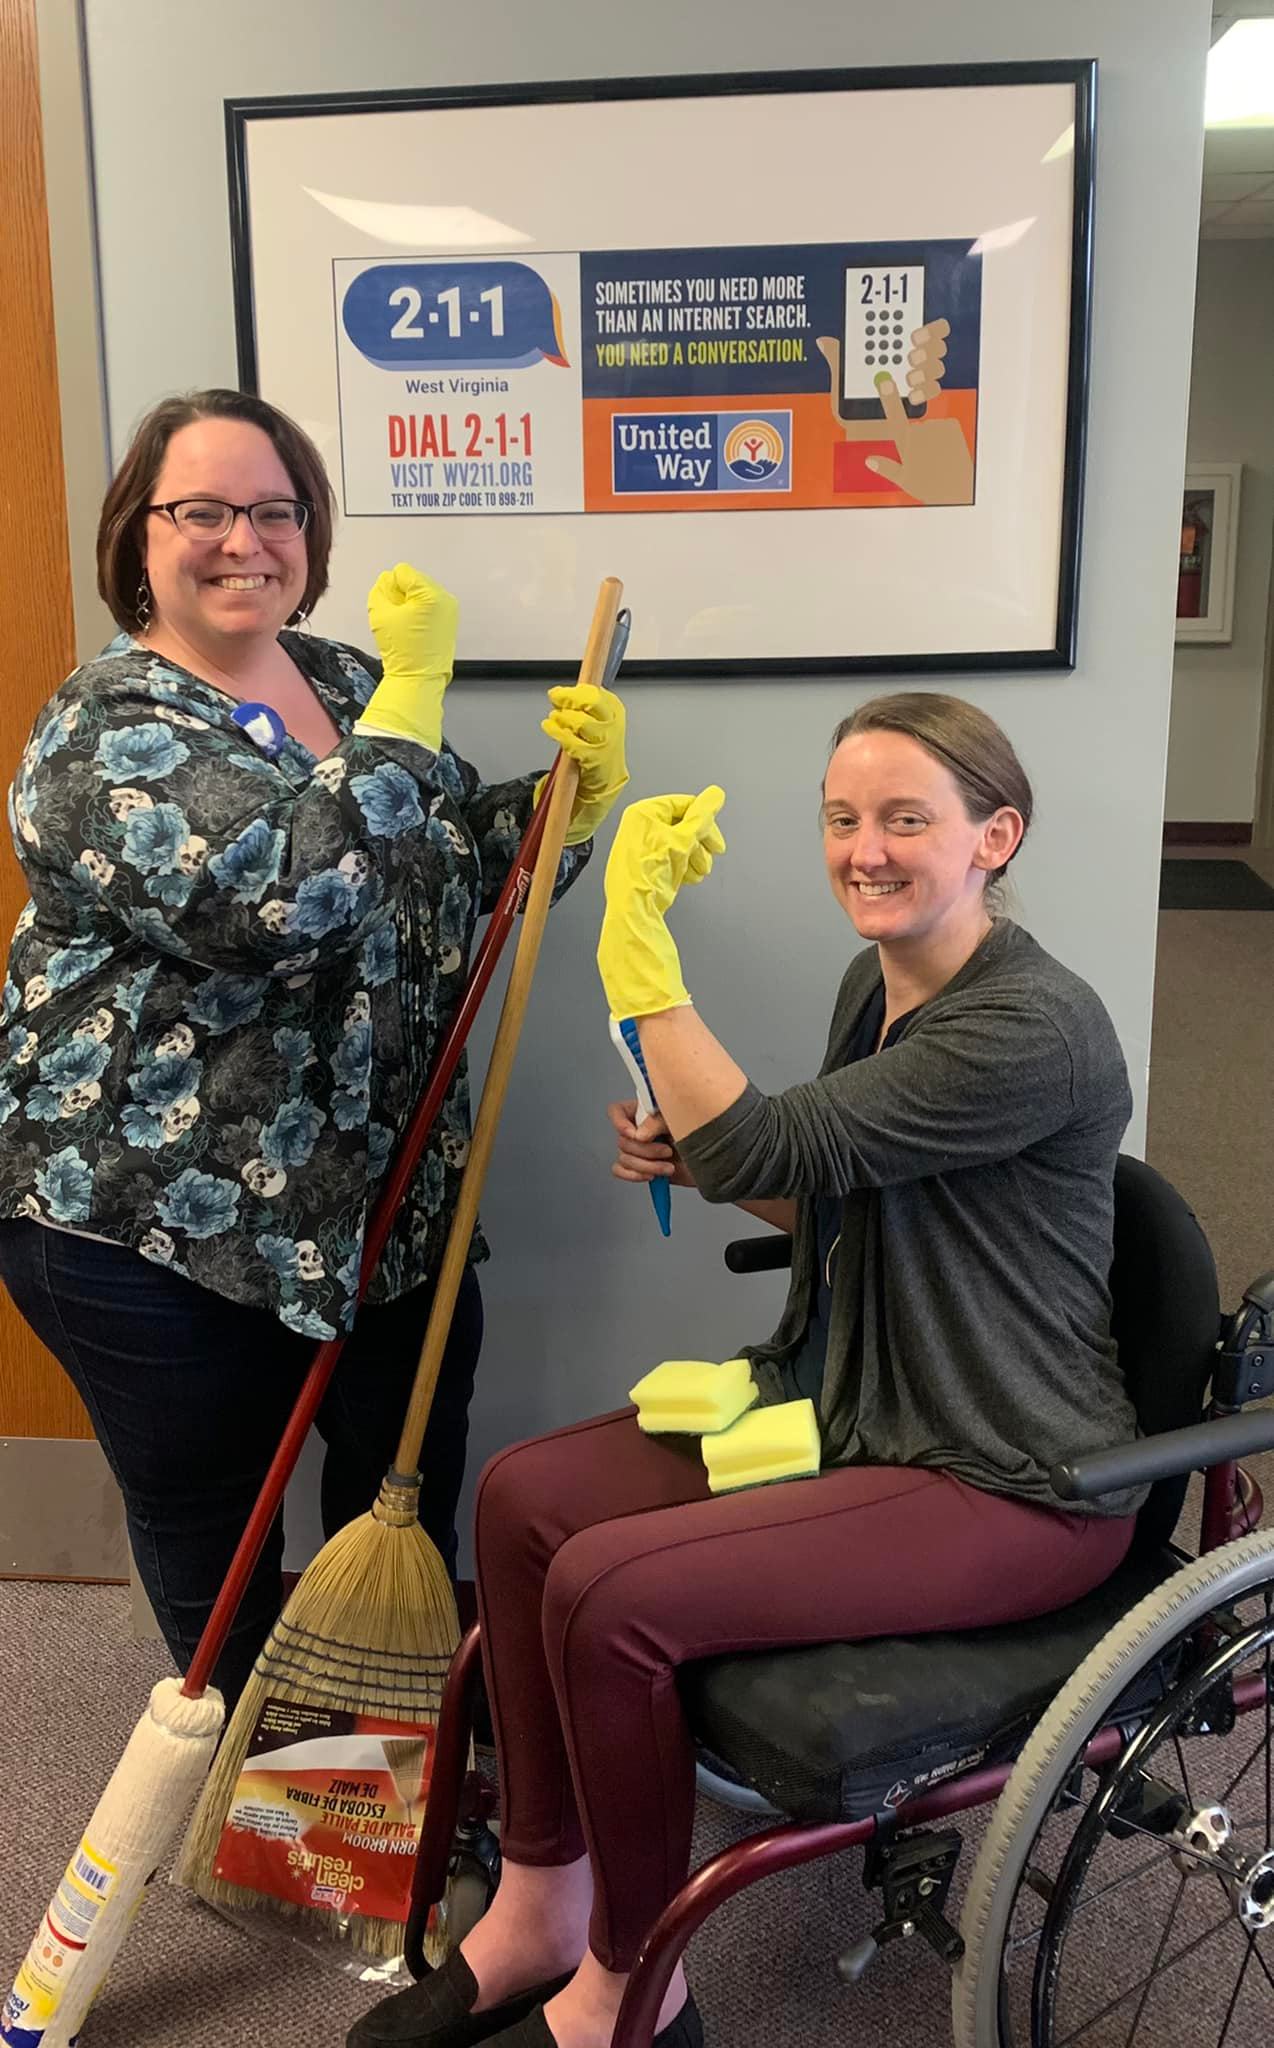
(763,1969)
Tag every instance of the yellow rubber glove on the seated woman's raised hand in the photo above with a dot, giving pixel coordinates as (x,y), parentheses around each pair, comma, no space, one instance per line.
(663,845)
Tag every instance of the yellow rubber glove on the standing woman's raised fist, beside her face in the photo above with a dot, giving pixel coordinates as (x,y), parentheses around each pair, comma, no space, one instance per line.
(413,622)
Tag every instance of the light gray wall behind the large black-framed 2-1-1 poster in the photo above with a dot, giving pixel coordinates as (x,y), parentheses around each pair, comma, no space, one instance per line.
(583,1293)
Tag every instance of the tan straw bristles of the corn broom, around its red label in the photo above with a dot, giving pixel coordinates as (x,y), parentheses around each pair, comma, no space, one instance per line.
(372,1629)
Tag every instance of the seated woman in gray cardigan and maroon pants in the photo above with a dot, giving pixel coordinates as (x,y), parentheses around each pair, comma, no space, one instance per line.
(947,1181)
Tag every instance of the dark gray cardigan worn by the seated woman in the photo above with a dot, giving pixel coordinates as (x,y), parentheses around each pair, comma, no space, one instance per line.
(970,1318)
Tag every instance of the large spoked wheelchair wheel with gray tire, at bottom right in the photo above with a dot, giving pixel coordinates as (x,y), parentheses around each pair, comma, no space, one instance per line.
(1134,1902)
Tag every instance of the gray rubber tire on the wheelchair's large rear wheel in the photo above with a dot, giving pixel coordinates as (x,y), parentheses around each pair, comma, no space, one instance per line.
(1048,1766)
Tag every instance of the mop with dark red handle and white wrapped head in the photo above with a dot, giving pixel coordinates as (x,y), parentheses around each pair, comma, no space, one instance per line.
(169,1752)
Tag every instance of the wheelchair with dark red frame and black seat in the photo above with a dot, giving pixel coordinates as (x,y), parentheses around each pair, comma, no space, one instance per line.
(1128,1740)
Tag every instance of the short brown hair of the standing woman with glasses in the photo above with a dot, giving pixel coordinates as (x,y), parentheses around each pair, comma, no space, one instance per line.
(122,554)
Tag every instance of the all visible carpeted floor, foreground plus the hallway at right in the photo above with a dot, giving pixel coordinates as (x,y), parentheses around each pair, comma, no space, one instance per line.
(765,1969)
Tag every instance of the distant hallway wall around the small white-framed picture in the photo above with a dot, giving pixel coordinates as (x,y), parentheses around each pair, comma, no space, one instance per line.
(1218,691)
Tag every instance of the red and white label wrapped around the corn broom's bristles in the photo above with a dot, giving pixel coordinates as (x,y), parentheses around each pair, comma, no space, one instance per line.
(327,1811)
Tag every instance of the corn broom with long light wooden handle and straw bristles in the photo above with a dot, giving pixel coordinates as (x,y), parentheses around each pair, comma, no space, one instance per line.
(372,1625)
